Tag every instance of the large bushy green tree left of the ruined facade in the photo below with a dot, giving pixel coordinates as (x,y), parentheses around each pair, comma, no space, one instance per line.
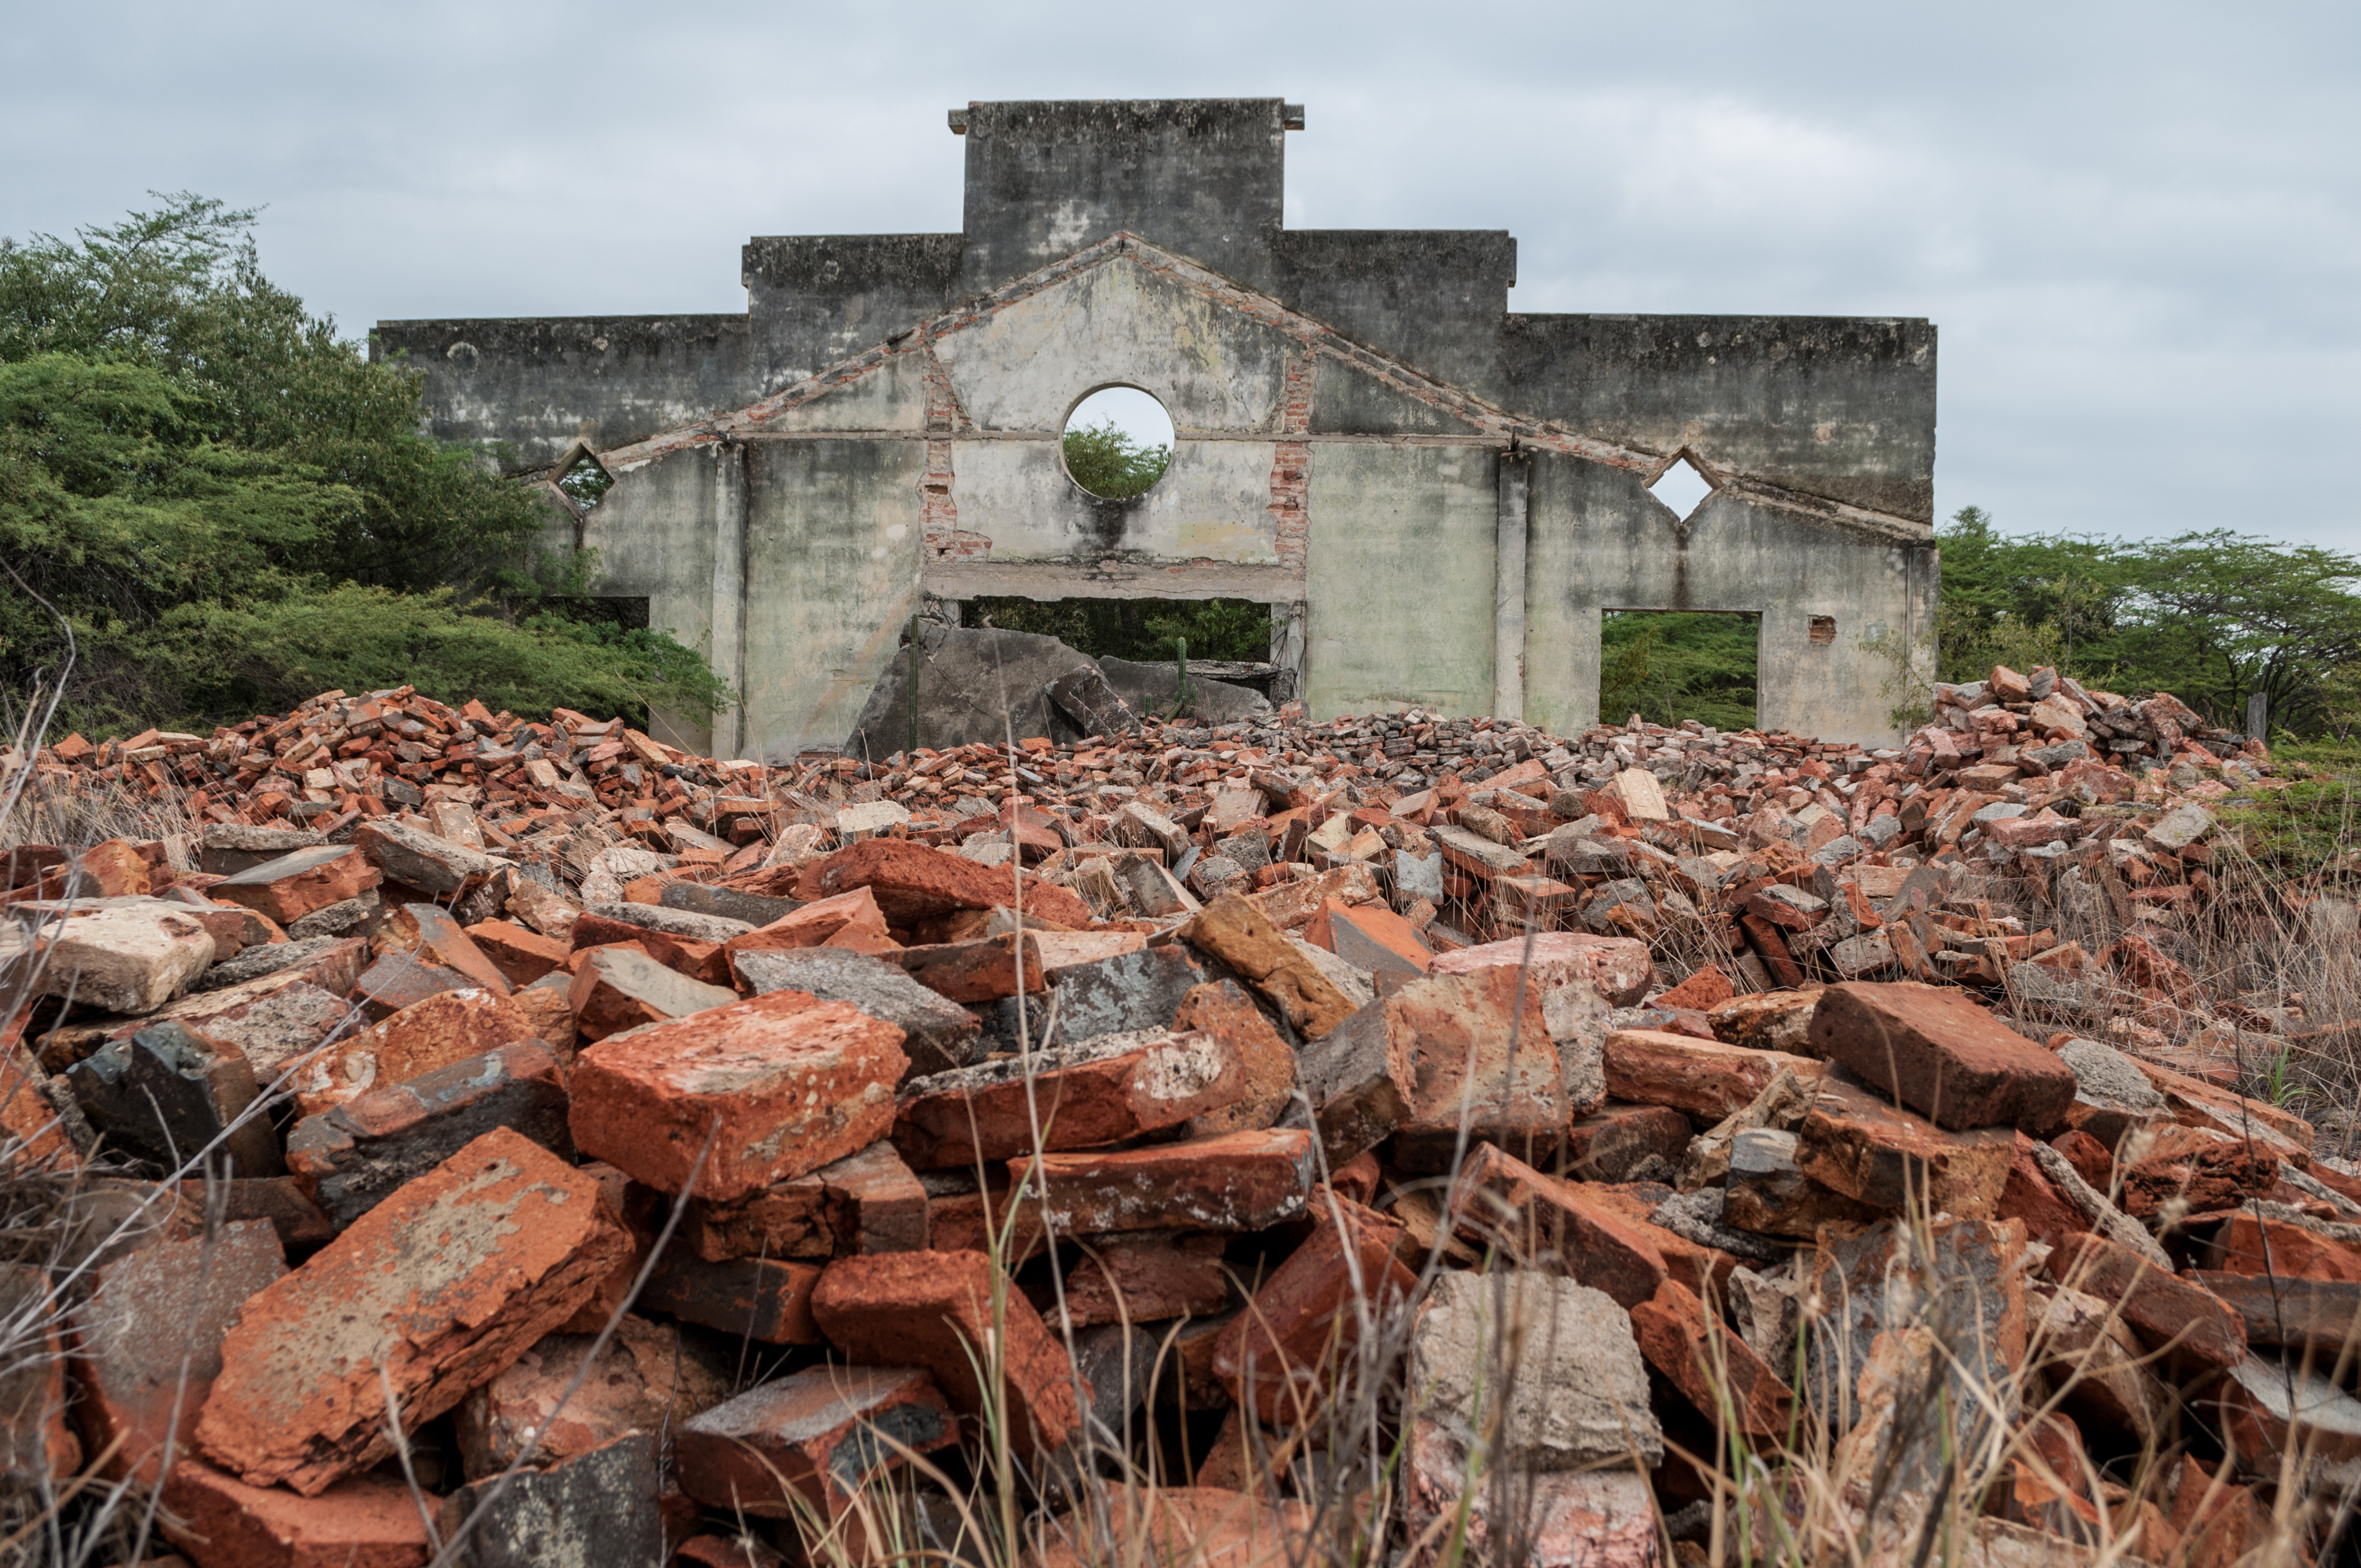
(230,507)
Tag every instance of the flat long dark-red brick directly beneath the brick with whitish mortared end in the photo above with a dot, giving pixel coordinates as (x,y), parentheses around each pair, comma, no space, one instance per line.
(1236,1182)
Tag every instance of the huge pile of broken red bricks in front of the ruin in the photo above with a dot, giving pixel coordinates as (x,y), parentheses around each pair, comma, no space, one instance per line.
(1137,1061)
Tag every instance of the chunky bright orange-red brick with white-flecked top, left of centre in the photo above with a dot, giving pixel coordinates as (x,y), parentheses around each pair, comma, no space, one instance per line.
(792,1083)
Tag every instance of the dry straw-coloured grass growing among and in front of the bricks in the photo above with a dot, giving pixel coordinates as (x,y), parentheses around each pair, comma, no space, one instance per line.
(1942,1432)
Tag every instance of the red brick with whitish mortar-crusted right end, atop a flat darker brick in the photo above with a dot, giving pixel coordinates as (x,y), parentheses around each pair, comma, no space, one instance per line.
(1080,1097)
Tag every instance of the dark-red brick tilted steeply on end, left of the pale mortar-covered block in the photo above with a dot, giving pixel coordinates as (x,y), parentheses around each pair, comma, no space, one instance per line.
(1297,1340)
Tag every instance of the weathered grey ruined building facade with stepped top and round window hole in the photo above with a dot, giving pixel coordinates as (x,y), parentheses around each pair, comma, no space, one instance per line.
(1439,497)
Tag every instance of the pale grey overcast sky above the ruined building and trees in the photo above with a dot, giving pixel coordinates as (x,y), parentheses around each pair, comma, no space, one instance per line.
(2136,226)
